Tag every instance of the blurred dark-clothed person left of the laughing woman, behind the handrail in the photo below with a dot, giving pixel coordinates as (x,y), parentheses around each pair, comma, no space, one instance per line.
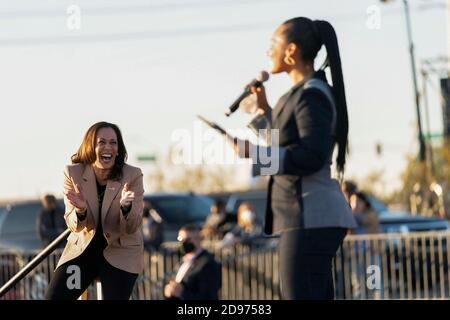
(50,221)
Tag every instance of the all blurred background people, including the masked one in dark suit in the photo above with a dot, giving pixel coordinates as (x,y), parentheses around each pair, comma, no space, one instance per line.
(198,275)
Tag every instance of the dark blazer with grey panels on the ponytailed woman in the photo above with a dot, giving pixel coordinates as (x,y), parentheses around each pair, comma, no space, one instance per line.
(301,193)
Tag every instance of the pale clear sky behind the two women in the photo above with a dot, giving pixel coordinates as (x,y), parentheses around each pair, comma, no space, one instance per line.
(151,66)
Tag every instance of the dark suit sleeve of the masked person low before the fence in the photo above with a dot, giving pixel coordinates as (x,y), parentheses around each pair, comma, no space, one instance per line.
(208,286)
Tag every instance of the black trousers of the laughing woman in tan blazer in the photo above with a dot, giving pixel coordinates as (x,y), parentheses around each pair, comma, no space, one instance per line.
(116,284)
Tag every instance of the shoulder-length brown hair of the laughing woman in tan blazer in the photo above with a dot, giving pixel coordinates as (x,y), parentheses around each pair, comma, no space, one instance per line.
(86,152)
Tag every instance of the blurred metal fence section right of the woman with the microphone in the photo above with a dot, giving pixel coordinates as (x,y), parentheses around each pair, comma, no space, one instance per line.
(408,266)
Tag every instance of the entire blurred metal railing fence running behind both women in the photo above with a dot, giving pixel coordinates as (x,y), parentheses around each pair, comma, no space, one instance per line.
(383,266)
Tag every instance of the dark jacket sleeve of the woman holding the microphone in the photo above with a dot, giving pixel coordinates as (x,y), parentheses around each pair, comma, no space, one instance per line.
(313,117)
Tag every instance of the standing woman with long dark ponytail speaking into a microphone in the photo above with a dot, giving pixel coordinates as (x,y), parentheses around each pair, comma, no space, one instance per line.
(305,205)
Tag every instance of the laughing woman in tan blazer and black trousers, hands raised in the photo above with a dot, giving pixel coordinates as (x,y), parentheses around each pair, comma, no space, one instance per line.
(104,204)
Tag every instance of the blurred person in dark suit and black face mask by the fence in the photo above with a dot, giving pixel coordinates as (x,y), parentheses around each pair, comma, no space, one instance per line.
(199,276)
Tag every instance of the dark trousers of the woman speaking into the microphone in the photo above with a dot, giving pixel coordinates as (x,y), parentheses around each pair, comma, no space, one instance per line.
(306,262)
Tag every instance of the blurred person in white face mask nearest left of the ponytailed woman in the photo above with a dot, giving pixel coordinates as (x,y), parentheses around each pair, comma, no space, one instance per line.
(246,231)
